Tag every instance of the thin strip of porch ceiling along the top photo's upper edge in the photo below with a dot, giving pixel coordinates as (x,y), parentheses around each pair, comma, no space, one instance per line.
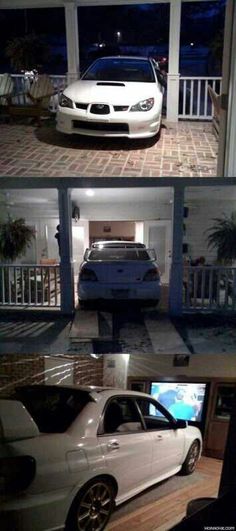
(24,4)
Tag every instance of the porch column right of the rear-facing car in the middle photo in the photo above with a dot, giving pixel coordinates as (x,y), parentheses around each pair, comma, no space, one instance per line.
(176,274)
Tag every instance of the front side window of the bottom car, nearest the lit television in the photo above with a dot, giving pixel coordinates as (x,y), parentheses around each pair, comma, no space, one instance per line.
(155,417)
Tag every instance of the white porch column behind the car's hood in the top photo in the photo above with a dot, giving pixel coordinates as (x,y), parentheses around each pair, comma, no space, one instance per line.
(72,40)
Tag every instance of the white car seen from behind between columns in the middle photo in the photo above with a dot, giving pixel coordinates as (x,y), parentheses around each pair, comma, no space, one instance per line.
(119,271)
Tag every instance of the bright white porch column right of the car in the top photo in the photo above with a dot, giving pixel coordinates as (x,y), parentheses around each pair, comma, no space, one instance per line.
(173,74)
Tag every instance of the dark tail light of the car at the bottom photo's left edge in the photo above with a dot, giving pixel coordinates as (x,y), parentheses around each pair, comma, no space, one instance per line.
(16,473)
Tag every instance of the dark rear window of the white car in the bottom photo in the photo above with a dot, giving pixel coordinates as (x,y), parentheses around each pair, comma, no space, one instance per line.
(52,408)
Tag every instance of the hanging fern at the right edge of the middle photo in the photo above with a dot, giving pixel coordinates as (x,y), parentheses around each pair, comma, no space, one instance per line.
(222,236)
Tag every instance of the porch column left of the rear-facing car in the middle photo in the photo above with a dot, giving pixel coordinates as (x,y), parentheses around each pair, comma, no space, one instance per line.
(66,269)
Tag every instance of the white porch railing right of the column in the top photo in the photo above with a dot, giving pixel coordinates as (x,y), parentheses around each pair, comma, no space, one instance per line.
(194,100)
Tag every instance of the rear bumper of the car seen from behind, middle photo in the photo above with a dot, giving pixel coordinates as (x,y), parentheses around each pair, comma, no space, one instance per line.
(125,291)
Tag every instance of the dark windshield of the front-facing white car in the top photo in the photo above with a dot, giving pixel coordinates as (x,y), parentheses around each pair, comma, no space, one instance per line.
(116,69)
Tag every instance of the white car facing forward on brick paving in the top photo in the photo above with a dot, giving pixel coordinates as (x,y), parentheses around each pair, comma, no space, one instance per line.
(116,97)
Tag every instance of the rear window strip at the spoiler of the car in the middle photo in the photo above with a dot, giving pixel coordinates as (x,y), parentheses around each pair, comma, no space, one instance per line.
(113,254)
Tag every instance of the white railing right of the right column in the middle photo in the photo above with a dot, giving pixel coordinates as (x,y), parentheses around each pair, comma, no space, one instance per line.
(209,288)
